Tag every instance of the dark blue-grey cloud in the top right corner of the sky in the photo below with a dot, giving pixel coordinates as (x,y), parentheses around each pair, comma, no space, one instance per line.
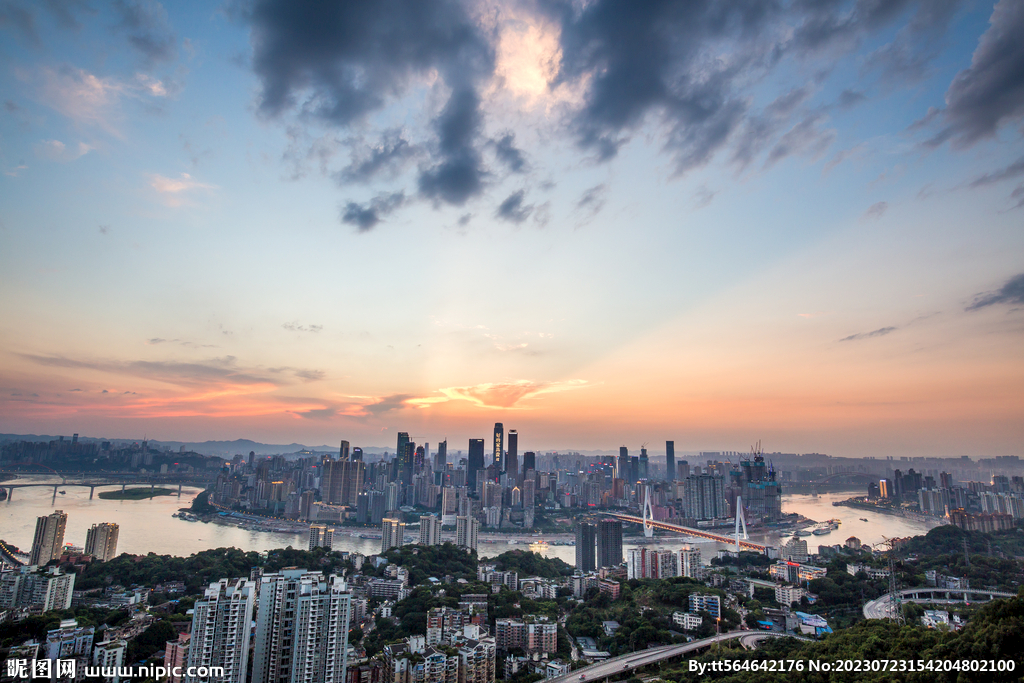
(991,92)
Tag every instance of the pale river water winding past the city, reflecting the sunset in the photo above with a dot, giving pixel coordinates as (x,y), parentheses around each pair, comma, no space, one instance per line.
(148,527)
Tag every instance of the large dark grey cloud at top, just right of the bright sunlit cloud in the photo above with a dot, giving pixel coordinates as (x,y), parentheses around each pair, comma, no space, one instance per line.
(654,60)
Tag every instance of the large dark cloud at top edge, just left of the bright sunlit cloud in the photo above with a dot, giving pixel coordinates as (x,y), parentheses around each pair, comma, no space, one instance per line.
(342,61)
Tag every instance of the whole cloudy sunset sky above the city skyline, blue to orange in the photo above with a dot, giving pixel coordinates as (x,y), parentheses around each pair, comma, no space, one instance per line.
(598,223)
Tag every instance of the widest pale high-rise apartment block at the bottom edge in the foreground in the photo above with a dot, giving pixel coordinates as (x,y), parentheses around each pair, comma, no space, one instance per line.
(302,628)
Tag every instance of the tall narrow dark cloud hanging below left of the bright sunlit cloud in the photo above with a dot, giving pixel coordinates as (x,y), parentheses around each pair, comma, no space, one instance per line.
(460,174)
